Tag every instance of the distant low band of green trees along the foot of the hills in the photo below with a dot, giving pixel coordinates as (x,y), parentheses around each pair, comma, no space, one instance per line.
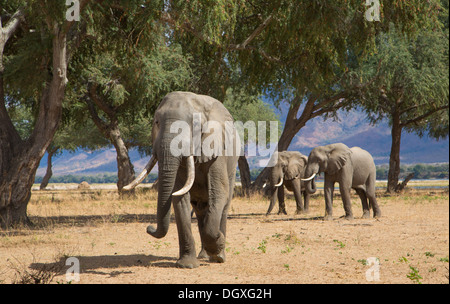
(421,171)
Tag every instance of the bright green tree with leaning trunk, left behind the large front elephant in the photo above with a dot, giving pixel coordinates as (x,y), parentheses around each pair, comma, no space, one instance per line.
(122,82)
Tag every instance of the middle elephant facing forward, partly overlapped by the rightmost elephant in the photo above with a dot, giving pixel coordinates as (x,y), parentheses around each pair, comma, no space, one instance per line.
(290,167)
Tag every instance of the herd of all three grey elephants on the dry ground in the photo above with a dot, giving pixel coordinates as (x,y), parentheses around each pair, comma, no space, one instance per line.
(202,176)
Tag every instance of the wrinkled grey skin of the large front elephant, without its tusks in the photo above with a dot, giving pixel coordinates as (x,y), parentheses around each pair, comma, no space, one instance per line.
(213,186)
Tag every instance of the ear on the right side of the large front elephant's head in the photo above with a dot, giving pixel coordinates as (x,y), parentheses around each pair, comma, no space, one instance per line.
(218,132)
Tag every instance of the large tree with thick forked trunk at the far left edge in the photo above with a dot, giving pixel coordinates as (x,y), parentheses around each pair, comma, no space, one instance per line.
(37,43)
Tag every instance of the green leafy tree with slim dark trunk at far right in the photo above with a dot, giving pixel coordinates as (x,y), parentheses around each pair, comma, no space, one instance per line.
(409,86)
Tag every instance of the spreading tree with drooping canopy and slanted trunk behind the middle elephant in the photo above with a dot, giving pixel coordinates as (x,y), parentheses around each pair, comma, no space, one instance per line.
(303,52)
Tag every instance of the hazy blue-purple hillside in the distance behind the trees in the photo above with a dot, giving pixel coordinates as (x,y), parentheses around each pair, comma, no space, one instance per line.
(352,129)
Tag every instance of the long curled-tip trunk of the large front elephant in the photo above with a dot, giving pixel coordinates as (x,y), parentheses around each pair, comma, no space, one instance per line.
(168,166)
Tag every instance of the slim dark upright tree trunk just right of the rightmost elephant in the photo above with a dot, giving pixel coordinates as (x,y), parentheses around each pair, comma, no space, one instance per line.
(394,160)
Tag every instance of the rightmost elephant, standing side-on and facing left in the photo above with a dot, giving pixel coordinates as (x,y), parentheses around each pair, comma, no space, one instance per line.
(351,168)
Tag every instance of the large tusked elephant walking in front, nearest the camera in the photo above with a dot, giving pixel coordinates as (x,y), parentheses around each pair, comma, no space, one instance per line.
(200,174)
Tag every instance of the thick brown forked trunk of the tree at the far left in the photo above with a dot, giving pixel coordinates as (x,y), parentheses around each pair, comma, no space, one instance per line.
(19,159)
